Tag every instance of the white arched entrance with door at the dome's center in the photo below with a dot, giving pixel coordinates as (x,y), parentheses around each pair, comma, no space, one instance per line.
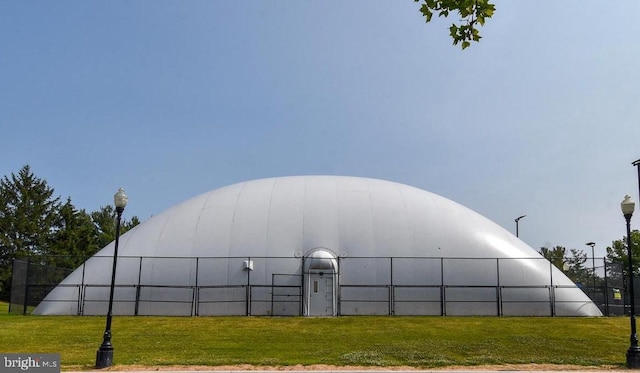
(320,282)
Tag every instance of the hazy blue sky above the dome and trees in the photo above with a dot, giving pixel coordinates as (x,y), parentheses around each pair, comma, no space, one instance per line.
(171,99)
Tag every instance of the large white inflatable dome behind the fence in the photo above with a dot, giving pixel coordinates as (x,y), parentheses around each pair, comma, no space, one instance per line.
(320,245)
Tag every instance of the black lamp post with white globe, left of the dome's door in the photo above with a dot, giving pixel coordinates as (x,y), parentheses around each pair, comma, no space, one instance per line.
(104,356)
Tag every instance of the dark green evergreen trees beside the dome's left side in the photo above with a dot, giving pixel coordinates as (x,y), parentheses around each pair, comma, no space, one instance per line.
(37,224)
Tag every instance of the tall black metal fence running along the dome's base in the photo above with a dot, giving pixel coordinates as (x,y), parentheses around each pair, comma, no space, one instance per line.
(435,291)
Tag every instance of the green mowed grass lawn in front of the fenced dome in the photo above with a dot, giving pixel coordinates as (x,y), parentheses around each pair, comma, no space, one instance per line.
(425,342)
